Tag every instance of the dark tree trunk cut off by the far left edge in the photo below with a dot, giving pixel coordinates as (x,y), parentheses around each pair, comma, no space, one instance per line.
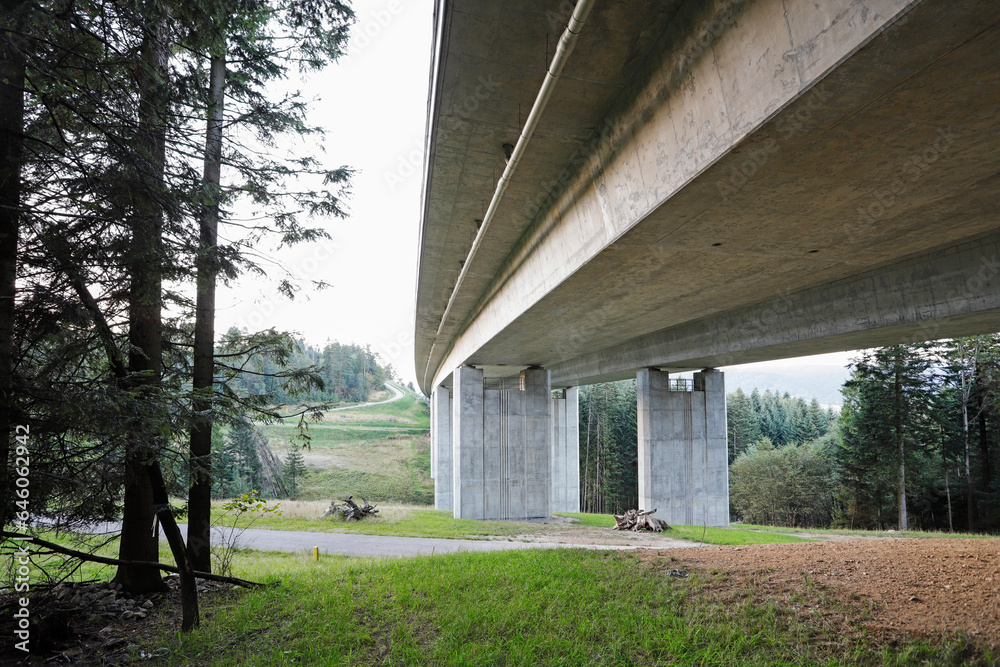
(11,158)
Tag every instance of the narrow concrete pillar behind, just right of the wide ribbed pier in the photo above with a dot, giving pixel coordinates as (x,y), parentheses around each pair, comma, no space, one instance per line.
(566,452)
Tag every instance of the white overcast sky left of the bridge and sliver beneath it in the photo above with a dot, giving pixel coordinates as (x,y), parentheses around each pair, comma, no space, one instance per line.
(373,104)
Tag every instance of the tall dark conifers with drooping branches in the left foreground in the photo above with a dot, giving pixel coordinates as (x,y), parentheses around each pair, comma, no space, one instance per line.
(130,132)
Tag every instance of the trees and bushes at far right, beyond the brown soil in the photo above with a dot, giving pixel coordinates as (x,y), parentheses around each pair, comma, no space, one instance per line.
(916,446)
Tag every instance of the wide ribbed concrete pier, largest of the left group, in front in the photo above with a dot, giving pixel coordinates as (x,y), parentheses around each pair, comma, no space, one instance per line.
(501,440)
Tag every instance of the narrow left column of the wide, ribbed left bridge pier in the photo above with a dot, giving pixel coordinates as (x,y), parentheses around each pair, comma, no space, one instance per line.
(467,444)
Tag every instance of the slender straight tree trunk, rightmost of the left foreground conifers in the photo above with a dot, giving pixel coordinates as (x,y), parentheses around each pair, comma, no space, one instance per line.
(200,495)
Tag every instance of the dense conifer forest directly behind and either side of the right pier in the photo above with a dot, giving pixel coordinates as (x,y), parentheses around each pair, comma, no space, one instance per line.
(609,469)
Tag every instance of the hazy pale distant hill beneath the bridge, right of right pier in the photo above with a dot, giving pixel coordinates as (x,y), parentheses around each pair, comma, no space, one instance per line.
(822,382)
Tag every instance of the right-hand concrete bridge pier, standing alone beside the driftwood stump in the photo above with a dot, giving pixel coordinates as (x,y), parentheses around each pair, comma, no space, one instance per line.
(683,464)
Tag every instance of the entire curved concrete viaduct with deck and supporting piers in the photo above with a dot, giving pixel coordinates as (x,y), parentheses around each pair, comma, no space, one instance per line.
(633,188)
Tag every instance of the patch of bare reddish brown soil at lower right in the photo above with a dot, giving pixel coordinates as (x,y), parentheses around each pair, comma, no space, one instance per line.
(919,586)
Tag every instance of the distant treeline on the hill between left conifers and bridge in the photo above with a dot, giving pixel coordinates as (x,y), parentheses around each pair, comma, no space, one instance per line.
(349,373)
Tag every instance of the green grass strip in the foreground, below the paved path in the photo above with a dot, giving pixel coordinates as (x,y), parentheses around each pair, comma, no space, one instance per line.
(537,607)
